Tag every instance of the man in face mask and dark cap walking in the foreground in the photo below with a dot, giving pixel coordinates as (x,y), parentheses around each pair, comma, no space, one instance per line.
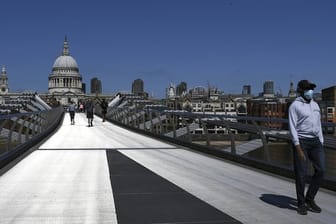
(307,137)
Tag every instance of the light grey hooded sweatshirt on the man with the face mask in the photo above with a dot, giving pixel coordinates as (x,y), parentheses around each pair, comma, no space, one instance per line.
(304,120)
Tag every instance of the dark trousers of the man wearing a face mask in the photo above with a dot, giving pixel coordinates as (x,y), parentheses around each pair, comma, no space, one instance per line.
(314,153)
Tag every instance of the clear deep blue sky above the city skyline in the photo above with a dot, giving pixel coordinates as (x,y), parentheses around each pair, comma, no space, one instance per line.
(223,43)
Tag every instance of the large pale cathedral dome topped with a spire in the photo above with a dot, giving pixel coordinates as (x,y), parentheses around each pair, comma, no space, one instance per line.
(65,81)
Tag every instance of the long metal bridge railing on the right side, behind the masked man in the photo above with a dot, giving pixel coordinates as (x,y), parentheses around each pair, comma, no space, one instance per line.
(255,141)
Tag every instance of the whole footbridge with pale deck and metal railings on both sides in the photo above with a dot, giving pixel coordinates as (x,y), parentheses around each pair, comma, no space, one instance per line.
(147,164)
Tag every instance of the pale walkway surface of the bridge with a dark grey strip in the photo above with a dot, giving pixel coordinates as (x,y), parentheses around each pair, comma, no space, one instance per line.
(104,173)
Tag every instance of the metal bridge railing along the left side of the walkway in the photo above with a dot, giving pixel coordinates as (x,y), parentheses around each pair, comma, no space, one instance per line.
(20,131)
